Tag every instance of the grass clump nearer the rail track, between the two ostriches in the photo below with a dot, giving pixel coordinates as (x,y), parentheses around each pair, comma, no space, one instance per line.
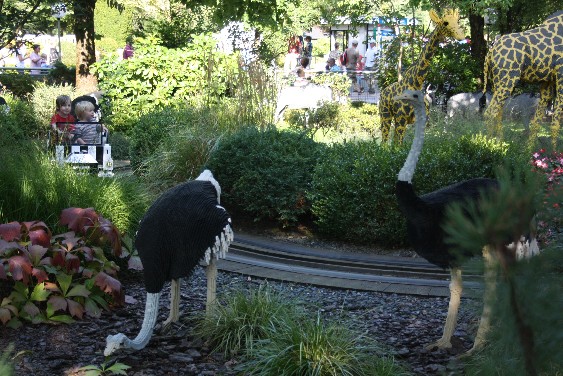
(241,318)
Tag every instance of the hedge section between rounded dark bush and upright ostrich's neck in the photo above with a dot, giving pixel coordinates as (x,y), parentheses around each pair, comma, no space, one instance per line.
(355,183)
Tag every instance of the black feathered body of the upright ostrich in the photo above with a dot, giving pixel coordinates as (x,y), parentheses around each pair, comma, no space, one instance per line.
(425,217)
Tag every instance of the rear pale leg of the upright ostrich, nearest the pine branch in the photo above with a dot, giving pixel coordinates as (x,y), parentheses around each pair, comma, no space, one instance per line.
(490,293)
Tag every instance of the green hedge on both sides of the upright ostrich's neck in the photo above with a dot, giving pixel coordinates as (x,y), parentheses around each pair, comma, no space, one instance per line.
(355,182)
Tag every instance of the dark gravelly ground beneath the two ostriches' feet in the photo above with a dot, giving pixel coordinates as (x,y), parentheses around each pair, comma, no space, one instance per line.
(404,323)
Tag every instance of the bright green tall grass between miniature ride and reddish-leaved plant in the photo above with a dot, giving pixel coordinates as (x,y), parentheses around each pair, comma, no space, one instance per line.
(34,188)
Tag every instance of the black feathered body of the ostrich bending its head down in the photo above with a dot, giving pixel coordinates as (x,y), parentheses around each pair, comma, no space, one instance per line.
(177,230)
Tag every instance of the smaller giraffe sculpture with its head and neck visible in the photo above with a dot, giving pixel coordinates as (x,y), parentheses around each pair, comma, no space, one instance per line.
(401,113)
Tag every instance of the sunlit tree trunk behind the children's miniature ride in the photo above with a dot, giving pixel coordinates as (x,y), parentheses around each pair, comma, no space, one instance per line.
(85,45)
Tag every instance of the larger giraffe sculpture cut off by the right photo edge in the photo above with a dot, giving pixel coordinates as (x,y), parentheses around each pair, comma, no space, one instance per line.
(533,56)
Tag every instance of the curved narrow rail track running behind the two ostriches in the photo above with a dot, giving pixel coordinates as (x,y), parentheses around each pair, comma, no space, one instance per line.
(350,271)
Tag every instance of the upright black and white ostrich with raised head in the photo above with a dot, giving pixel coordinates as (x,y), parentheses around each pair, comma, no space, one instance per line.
(425,216)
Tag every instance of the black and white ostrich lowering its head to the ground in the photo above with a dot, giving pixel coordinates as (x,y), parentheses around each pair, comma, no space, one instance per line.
(184,226)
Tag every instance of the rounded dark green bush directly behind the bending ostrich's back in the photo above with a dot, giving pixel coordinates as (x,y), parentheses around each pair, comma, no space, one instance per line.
(267,173)
